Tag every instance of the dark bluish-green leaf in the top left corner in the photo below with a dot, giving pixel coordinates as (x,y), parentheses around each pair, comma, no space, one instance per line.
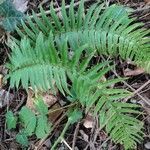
(10,16)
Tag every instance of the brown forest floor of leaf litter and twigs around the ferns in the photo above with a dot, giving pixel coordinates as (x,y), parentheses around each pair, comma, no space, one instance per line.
(84,135)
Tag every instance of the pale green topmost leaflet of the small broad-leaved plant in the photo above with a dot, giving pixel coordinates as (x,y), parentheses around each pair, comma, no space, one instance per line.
(41,106)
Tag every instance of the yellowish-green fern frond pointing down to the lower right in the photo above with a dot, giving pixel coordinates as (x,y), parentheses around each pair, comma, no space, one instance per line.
(117,117)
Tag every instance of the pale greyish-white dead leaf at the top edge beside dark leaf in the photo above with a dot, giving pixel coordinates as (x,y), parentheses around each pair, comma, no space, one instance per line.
(21,5)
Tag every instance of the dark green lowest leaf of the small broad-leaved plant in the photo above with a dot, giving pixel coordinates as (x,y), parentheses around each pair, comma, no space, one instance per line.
(22,139)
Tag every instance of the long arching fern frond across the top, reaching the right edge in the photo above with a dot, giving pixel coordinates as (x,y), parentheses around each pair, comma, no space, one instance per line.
(108,31)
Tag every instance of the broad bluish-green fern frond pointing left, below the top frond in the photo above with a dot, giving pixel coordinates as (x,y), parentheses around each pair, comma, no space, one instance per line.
(43,64)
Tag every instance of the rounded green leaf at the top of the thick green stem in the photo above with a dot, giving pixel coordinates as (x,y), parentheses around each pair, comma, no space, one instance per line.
(74,115)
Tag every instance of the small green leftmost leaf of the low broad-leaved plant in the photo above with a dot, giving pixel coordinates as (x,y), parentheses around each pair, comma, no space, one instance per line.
(11,120)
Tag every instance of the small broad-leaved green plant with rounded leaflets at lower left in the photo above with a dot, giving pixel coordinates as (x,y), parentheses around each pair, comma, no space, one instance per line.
(29,123)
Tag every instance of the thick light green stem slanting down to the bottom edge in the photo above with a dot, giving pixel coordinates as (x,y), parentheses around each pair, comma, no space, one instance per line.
(61,135)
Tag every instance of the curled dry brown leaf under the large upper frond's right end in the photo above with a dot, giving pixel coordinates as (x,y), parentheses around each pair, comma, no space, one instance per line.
(129,72)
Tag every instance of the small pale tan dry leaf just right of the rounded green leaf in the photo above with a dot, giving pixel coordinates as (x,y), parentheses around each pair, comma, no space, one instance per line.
(89,121)
